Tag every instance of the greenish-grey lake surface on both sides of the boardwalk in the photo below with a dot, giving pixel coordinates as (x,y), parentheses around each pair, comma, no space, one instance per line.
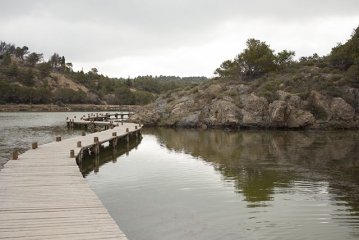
(195,184)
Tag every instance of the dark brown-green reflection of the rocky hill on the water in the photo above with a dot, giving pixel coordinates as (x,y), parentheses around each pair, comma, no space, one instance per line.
(256,161)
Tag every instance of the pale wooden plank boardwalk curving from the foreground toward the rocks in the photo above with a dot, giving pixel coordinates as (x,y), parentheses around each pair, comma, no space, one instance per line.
(44,196)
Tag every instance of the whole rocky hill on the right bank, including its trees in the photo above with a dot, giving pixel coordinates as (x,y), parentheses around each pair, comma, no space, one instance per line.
(259,89)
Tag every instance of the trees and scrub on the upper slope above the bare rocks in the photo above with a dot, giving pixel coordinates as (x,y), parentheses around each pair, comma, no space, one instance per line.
(266,72)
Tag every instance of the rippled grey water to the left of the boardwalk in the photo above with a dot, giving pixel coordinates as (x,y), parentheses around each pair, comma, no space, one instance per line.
(19,129)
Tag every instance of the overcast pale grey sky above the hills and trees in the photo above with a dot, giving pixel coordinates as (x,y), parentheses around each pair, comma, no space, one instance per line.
(124,38)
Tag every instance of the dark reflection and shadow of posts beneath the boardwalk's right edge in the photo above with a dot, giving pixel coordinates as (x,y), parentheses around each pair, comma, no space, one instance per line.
(92,163)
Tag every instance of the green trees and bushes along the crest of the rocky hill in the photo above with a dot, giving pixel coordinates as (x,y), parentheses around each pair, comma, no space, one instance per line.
(258,59)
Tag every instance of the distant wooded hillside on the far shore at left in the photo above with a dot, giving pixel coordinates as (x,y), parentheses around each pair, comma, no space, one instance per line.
(26,78)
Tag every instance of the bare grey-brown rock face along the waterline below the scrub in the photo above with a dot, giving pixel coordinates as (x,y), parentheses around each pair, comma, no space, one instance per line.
(235,106)
